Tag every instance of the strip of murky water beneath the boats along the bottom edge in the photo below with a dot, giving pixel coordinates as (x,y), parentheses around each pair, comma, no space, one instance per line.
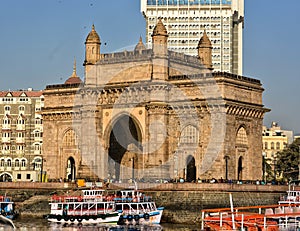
(30,224)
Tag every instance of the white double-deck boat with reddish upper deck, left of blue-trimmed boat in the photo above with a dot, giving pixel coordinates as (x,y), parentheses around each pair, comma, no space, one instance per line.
(89,208)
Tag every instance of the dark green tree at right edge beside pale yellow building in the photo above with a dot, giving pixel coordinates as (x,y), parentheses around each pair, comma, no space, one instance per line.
(288,161)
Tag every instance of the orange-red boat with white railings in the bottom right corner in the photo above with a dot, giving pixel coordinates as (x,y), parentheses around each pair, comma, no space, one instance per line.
(277,217)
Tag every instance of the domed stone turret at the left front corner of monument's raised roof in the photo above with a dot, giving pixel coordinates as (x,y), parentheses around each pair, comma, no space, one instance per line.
(92,49)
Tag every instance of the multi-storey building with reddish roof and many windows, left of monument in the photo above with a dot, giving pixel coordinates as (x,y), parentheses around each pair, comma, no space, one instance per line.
(21,135)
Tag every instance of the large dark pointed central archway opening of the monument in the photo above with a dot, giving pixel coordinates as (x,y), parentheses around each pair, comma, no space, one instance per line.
(124,146)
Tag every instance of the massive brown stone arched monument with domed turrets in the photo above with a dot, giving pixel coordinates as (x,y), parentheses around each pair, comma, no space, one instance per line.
(152,114)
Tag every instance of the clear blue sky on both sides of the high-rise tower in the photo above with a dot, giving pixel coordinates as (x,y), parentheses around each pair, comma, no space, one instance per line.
(40,39)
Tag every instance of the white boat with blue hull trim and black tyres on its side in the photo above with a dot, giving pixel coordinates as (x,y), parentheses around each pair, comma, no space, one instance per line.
(137,208)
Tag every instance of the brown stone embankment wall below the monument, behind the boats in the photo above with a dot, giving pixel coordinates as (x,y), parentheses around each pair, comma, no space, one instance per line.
(182,202)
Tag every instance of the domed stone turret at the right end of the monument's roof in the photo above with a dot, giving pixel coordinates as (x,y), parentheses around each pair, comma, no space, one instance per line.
(205,51)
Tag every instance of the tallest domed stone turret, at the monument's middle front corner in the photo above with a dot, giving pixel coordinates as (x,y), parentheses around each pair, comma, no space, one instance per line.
(160,52)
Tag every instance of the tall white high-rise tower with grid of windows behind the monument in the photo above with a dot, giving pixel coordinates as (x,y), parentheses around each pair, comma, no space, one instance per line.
(186,20)
